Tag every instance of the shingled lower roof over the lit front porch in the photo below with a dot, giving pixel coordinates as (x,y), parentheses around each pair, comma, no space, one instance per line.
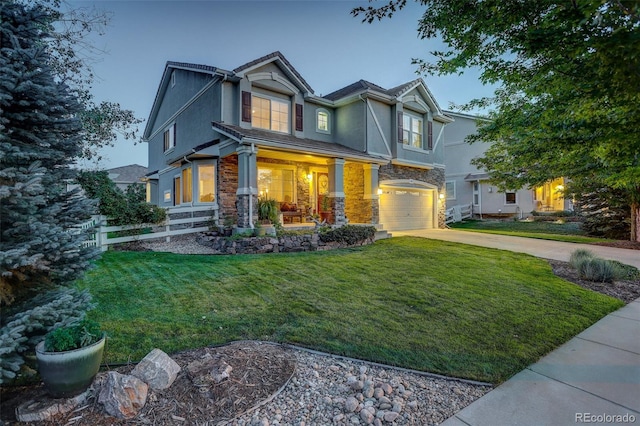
(290,142)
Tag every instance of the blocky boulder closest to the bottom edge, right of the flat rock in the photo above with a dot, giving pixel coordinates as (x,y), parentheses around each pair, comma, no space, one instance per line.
(122,396)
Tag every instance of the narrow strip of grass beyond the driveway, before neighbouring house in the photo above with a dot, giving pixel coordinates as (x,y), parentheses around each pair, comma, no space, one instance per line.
(568,232)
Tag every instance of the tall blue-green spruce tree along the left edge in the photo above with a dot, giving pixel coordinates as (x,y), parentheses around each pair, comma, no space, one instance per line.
(40,137)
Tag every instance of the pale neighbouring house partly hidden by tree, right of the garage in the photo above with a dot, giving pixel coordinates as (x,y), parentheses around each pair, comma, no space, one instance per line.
(466,184)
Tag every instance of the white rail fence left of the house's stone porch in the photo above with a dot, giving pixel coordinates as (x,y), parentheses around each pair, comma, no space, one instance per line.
(183,220)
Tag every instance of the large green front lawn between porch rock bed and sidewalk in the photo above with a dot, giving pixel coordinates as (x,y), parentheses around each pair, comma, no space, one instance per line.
(447,308)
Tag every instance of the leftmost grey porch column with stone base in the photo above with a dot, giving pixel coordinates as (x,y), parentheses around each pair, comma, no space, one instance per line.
(247,187)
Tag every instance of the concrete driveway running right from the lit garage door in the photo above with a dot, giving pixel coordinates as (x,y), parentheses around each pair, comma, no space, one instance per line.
(555,250)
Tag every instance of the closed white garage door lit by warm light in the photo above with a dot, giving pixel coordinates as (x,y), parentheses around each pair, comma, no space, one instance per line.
(403,209)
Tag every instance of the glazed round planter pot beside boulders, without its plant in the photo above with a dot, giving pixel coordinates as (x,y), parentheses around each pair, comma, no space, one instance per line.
(69,373)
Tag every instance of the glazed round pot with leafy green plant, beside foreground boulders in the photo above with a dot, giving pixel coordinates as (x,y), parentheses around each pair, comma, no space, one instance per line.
(69,357)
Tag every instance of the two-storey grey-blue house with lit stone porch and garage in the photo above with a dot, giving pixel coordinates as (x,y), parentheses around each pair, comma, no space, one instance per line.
(364,153)
